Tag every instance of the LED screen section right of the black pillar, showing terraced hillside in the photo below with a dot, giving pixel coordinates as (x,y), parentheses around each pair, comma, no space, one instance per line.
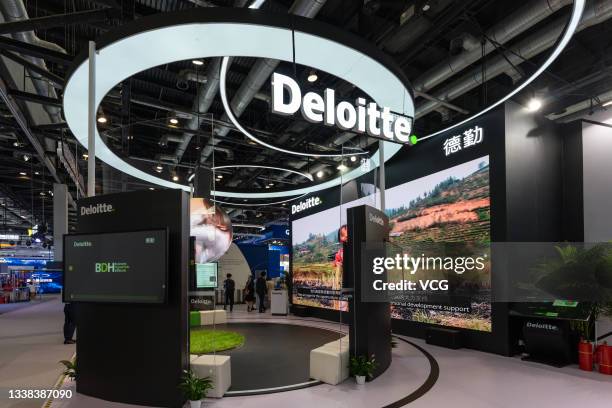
(444,212)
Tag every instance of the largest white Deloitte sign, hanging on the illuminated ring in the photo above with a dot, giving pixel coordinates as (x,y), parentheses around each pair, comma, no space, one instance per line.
(363,118)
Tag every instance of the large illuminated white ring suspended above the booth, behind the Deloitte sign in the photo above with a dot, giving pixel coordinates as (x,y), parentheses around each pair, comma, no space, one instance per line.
(202,33)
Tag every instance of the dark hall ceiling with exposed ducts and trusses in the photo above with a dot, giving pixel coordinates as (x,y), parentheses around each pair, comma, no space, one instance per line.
(460,56)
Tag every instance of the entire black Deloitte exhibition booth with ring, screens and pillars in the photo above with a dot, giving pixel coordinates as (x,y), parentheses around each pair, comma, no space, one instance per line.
(155,274)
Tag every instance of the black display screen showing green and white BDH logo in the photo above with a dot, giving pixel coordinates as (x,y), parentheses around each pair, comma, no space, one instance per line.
(123,267)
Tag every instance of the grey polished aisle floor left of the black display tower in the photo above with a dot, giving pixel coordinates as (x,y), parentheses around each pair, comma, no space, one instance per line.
(31,345)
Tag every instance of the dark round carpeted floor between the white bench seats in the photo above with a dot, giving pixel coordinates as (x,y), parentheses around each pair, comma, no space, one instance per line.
(273,355)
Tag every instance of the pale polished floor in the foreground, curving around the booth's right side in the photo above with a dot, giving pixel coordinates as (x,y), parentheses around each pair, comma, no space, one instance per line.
(466,379)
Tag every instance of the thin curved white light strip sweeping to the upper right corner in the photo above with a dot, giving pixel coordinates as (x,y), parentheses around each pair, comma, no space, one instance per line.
(570,29)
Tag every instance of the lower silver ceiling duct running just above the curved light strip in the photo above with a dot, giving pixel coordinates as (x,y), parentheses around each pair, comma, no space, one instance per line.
(596,12)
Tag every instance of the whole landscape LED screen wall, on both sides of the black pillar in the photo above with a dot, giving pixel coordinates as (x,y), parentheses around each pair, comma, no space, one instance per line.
(449,206)
